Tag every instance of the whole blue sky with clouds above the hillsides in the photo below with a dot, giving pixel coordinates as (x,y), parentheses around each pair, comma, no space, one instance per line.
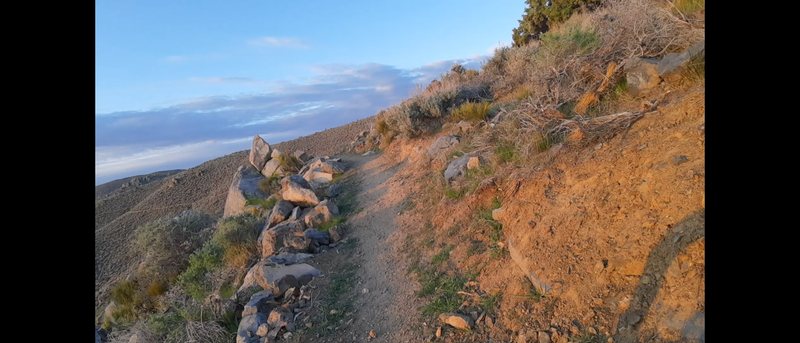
(178,83)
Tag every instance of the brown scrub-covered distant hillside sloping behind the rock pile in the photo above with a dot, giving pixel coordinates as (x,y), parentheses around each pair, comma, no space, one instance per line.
(204,187)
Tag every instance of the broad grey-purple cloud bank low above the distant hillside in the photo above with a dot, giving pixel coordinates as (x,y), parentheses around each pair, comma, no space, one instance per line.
(186,134)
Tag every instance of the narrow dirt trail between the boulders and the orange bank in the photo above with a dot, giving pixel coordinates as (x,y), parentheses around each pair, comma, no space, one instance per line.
(389,305)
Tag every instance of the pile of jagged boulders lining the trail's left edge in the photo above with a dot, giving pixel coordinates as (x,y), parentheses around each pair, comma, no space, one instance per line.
(275,290)
